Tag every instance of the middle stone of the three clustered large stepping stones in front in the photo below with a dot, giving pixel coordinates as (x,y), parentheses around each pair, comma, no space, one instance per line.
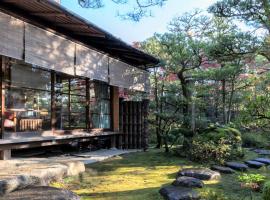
(190,182)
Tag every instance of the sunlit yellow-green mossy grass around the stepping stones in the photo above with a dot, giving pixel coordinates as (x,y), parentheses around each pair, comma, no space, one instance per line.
(138,176)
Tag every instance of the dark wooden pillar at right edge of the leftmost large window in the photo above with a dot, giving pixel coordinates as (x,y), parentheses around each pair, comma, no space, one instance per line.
(53,102)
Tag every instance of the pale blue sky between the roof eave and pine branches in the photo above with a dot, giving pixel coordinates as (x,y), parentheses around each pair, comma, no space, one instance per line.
(130,31)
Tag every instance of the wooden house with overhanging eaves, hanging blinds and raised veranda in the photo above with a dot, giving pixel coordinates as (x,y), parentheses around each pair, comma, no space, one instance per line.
(64,79)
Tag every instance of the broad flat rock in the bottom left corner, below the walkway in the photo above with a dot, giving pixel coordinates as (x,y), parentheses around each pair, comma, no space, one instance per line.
(41,193)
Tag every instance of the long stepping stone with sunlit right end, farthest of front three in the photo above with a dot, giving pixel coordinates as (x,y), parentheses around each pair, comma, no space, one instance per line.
(200,173)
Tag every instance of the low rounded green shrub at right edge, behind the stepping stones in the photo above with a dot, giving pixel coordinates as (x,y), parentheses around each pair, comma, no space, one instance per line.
(254,140)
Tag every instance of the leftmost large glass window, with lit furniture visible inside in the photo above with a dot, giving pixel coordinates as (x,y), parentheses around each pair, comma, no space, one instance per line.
(27,98)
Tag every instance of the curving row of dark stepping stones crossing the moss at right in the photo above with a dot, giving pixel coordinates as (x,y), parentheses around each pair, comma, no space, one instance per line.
(187,179)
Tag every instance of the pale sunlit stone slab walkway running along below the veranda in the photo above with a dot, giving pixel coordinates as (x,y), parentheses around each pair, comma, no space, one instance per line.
(19,173)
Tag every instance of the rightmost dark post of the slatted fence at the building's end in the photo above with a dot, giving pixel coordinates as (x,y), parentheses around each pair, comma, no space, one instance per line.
(145,107)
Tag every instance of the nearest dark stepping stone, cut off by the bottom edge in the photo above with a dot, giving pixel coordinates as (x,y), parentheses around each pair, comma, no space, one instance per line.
(178,193)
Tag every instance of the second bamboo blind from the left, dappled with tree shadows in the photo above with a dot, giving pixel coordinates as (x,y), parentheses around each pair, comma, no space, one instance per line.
(48,50)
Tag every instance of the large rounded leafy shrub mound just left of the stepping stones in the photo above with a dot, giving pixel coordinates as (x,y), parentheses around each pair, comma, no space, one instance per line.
(216,144)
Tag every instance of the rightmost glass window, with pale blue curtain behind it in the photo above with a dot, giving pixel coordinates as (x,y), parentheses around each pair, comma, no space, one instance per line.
(100,105)
